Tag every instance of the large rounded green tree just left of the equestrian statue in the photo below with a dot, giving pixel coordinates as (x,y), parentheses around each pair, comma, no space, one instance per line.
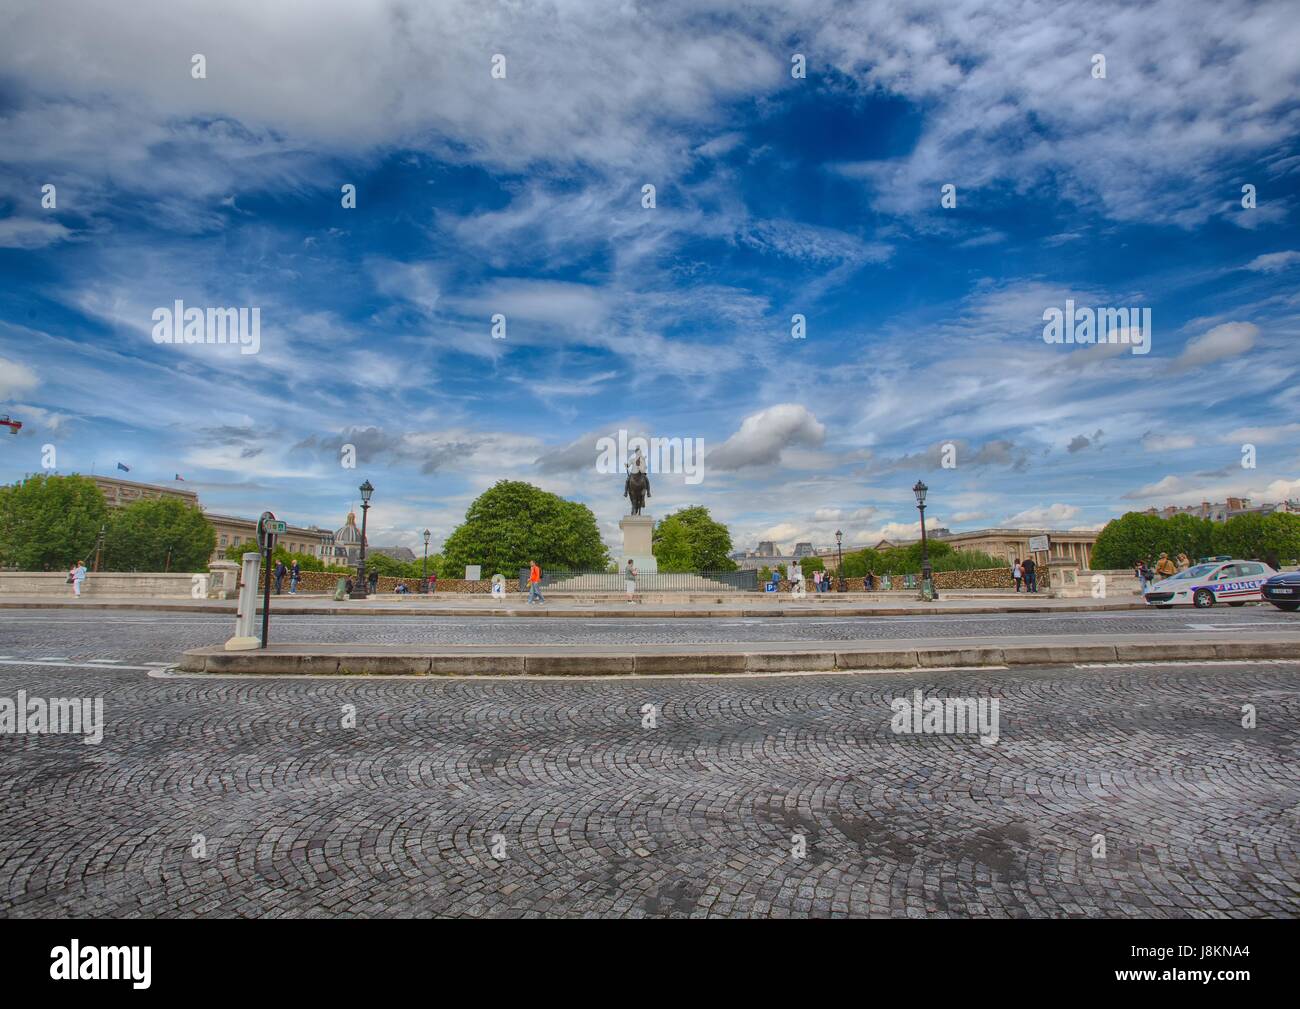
(513,523)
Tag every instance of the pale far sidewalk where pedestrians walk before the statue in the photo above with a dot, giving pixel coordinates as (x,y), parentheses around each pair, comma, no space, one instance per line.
(743,607)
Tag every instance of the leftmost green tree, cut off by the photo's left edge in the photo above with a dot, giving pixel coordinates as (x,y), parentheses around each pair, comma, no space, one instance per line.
(49,522)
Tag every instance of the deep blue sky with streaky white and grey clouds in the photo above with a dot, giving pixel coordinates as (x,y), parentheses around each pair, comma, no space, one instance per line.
(523,197)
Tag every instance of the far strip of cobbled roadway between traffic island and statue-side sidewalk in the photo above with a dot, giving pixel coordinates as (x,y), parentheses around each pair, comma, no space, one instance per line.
(162,638)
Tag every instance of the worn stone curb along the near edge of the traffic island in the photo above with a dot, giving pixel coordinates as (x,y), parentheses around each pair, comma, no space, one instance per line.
(218,661)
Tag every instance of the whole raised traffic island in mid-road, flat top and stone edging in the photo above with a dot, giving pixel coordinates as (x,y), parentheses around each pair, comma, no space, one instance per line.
(331,660)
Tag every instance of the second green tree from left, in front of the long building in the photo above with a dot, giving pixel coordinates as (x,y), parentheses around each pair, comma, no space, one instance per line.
(159,535)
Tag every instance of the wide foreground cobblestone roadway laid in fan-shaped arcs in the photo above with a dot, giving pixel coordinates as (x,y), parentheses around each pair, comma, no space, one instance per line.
(597,815)
